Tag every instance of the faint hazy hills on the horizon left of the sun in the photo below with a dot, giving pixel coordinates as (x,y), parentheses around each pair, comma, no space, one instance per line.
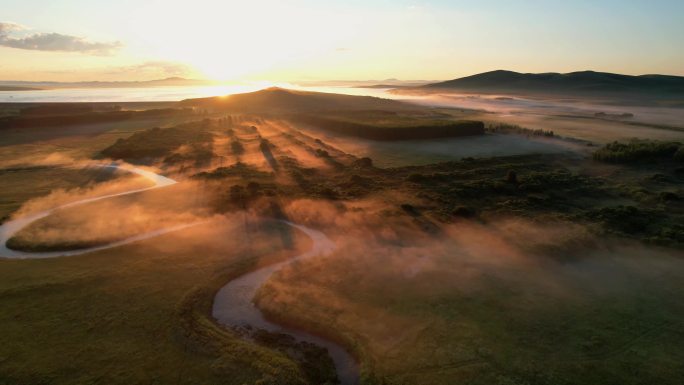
(15,85)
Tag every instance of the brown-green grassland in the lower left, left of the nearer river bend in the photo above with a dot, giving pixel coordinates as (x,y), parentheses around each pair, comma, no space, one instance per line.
(136,314)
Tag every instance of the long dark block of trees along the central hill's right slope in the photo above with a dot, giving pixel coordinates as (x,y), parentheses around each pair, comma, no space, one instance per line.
(388,133)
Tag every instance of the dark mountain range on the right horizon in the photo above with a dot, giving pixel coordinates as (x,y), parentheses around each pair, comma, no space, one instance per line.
(584,82)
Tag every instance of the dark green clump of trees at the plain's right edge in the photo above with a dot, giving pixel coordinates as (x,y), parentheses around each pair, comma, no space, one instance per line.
(640,150)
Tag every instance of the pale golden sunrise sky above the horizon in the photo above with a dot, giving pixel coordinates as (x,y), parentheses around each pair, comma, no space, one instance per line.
(314,40)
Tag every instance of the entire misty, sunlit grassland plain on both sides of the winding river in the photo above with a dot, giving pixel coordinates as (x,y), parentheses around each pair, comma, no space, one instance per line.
(531,269)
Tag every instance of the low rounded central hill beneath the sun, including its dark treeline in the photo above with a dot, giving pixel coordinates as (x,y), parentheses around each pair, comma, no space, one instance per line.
(358,116)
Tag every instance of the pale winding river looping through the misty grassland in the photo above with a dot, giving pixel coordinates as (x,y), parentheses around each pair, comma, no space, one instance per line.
(233,304)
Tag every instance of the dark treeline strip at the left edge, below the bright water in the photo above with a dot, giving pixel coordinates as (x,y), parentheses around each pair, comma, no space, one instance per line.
(31,119)
